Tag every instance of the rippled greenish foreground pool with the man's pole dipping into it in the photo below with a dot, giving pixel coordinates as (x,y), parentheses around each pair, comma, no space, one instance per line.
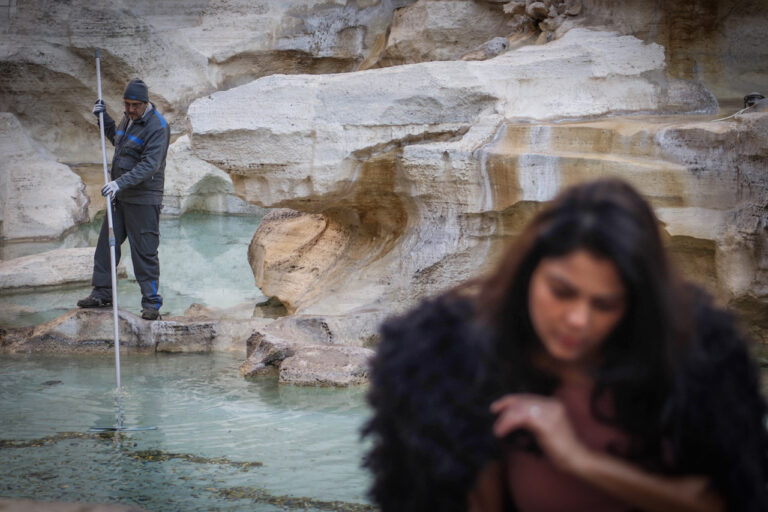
(222,442)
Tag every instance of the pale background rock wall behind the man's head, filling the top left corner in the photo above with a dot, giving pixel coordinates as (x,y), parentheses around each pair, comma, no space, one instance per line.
(181,49)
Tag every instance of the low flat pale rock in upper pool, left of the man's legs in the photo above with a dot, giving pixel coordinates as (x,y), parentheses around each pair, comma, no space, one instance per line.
(52,268)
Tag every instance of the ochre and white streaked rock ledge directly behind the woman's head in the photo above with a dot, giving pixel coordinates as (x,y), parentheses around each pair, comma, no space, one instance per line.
(716,218)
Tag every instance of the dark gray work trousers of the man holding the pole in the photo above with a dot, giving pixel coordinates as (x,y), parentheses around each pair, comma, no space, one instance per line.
(140,223)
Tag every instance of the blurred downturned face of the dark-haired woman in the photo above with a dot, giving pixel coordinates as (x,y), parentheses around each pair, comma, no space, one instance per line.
(575,301)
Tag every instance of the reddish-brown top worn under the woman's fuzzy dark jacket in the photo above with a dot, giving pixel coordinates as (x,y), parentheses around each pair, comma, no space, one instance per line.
(538,486)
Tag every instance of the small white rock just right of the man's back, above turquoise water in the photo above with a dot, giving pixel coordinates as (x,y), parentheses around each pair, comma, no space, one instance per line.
(192,184)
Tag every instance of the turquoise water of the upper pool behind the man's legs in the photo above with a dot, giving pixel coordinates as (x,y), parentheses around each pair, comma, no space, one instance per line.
(203,259)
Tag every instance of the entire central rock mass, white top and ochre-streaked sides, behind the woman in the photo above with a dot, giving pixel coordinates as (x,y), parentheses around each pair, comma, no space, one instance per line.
(402,188)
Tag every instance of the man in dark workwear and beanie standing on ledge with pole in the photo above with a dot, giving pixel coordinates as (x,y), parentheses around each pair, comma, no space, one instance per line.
(138,173)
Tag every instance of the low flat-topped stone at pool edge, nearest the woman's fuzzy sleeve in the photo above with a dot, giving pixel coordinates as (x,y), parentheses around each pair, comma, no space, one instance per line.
(326,366)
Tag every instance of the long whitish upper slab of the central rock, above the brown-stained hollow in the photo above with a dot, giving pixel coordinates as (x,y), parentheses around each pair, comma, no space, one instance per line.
(303,136)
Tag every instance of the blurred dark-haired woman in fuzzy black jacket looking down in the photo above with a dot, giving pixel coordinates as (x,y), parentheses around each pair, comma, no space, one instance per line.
(582,375)
